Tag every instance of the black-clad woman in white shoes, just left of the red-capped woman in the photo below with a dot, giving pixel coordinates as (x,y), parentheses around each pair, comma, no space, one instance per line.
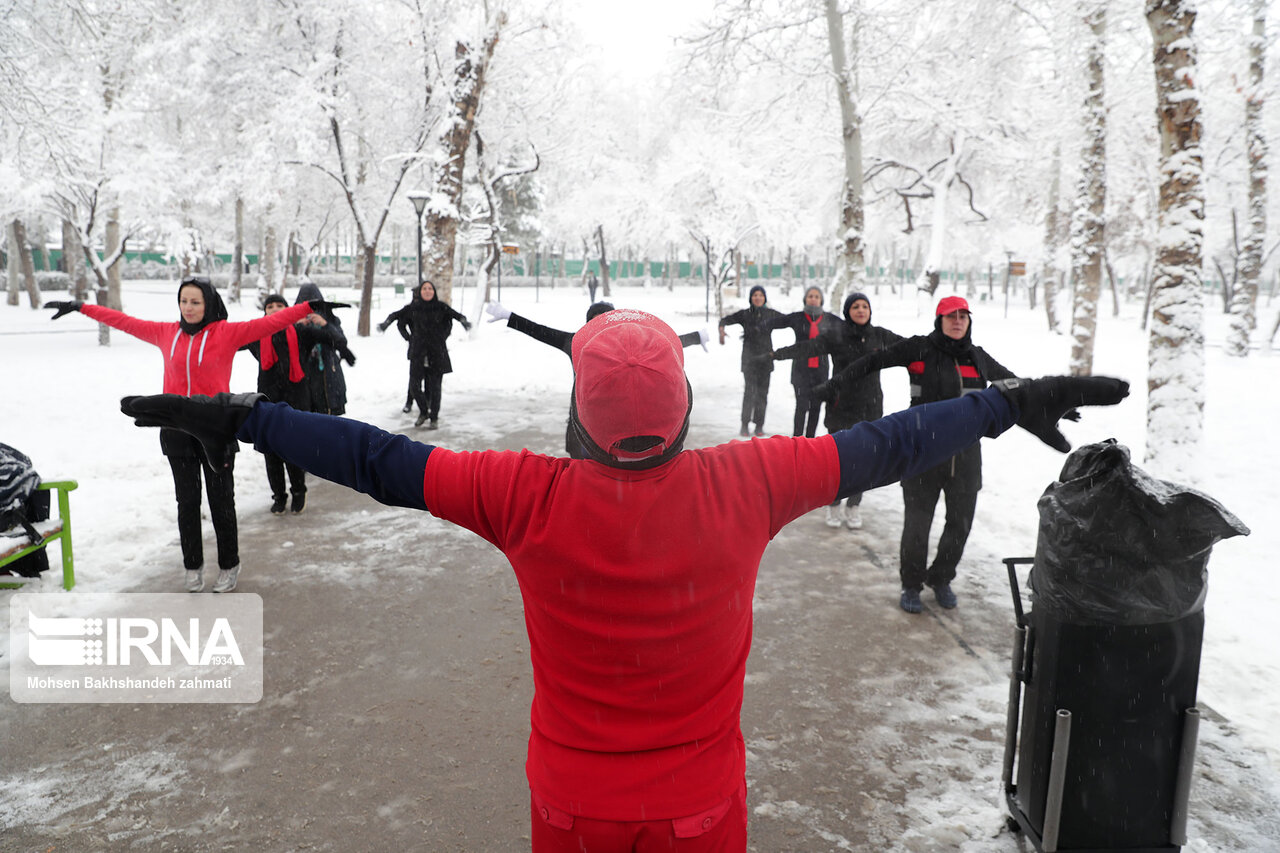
(863,399)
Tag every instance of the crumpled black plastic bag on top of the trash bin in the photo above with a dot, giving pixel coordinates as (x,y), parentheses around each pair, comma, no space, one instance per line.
(1121,548)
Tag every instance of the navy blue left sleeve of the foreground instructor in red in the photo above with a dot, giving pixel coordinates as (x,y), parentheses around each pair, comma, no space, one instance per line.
(386,467)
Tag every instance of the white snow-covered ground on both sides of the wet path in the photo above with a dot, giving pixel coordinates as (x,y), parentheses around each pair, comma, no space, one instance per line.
(61,393)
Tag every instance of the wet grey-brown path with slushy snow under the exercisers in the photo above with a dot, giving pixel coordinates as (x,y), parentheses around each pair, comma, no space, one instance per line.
(397,687)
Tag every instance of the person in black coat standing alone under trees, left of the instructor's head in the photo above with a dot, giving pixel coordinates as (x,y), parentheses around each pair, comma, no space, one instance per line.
(427,323)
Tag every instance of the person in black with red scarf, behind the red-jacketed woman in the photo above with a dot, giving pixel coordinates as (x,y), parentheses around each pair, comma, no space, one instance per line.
(282,376)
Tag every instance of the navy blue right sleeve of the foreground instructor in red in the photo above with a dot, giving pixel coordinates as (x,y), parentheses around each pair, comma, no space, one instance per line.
(913,441)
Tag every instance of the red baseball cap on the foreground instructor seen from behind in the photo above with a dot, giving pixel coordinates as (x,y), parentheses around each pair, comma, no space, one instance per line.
(630,385)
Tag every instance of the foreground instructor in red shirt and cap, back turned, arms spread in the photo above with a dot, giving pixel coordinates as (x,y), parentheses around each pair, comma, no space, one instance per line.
(637,565)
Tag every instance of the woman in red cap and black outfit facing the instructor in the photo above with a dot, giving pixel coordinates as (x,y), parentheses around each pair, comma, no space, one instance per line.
(943,364)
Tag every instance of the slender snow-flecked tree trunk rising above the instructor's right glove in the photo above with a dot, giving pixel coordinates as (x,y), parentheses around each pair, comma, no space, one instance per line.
(1089,223)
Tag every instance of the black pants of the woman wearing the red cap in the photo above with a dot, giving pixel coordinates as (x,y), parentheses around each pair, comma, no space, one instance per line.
(920,500)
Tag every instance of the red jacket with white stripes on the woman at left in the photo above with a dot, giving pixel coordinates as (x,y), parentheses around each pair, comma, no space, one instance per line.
(202,363)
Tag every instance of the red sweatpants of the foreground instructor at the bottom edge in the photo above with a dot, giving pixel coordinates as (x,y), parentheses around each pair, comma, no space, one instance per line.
(717,831)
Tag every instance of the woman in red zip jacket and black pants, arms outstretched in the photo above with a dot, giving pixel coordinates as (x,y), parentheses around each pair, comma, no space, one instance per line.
(198,355)
